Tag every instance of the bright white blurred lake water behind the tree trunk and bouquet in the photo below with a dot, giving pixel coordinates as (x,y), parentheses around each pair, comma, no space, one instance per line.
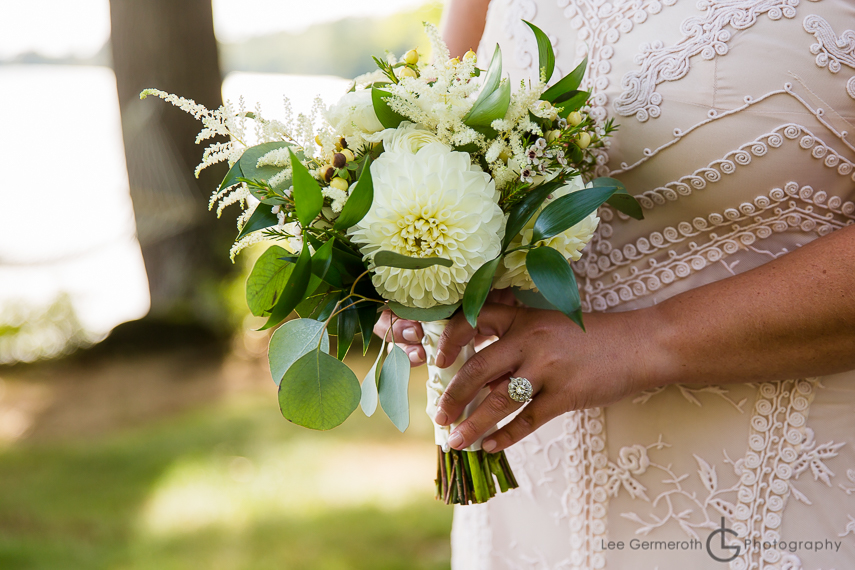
(66,218)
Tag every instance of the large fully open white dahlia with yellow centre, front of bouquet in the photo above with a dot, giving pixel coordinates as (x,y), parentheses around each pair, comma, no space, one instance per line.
(432,203)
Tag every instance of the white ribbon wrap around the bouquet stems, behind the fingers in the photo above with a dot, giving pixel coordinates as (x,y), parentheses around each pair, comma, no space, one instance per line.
(438,379)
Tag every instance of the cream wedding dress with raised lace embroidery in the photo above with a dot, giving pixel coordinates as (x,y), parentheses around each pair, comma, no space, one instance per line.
(735,119)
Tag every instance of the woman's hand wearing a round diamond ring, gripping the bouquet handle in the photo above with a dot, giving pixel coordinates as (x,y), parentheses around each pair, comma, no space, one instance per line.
(569,369)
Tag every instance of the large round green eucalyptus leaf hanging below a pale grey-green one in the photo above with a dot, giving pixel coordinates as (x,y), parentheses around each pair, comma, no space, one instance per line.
(318,391)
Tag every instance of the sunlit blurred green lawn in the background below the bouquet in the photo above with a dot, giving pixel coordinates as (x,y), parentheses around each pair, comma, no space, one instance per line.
(232,486)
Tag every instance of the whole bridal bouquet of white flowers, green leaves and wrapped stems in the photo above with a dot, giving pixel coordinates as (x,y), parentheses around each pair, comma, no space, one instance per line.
(423,188)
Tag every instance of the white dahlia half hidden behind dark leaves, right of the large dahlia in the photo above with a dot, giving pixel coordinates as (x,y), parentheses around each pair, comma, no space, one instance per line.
(512,272)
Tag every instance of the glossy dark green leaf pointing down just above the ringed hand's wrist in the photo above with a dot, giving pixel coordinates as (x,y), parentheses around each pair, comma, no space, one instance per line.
(552,275)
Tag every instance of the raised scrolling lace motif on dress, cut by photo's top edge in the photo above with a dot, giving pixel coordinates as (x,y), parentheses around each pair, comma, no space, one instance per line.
(705,35)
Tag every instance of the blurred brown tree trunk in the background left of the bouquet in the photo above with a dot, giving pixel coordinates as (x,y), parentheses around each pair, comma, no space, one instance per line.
(170,45)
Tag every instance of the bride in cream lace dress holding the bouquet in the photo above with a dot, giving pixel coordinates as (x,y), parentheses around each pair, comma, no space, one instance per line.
(708,414)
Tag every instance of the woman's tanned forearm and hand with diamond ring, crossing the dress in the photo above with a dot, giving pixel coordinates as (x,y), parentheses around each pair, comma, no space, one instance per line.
(793,317)
